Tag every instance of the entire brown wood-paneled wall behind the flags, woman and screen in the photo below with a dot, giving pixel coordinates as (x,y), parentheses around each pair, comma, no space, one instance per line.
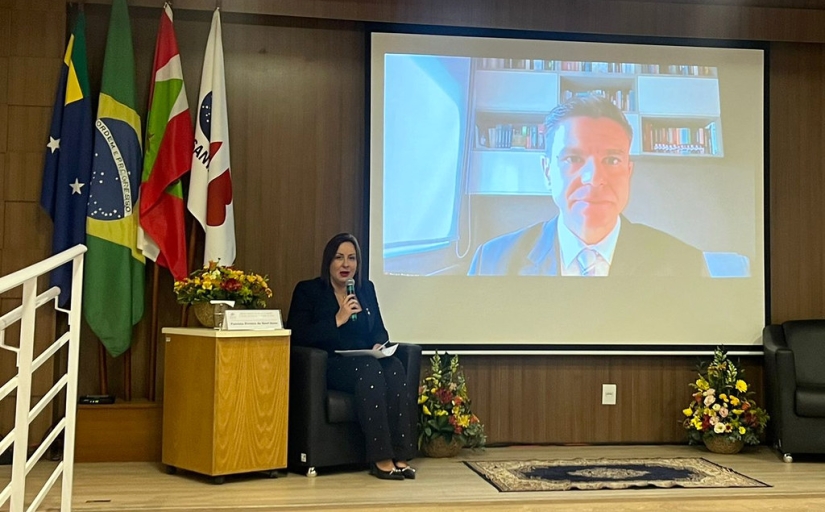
(295,76)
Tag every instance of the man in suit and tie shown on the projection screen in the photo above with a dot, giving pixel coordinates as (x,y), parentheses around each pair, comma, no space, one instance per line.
(588,168)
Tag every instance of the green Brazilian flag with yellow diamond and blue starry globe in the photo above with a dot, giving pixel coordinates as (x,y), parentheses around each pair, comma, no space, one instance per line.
(113,296)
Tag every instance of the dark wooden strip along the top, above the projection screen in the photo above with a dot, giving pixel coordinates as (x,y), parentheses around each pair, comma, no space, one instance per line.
(768,20)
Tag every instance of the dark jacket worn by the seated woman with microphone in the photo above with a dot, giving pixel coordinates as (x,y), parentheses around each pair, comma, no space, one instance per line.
(312,317)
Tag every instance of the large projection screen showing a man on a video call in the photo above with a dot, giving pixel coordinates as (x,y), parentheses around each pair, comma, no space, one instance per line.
(483,213)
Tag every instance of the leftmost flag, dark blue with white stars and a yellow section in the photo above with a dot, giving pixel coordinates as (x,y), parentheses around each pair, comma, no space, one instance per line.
(68,165)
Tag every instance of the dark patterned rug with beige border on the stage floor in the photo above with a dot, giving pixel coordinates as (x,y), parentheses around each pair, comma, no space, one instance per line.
(592,474)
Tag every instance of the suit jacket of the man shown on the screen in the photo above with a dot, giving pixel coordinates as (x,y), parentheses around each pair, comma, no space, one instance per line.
(640,250)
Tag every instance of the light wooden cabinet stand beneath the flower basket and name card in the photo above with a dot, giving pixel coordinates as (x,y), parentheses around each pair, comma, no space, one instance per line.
(225,401)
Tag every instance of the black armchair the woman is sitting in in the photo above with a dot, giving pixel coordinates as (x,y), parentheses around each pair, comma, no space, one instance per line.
(323,428)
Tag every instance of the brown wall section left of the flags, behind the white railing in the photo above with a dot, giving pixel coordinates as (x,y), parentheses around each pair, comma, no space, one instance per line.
(31,49)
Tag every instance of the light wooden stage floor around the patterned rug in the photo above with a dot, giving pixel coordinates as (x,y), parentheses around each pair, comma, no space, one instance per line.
(446,485)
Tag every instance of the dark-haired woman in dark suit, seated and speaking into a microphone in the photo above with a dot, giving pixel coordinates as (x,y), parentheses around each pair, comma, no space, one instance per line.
(324,315)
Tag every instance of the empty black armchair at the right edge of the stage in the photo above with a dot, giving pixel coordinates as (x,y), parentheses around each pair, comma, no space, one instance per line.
(795,376)
